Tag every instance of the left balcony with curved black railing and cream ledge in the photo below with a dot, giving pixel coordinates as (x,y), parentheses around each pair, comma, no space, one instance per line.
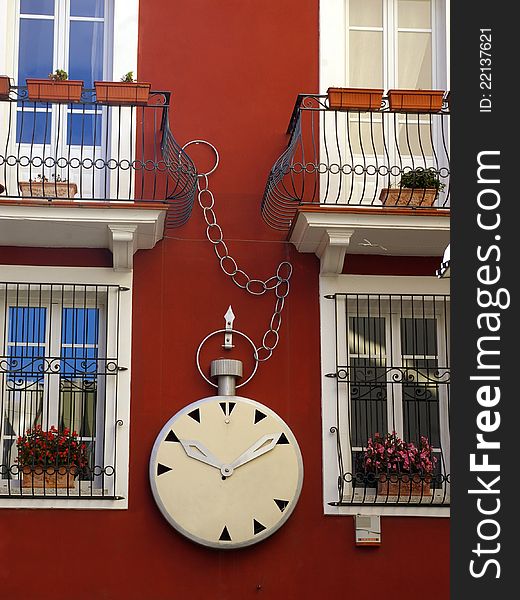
(70,172)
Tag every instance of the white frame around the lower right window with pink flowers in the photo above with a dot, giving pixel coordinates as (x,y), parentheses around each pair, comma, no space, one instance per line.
(359,284)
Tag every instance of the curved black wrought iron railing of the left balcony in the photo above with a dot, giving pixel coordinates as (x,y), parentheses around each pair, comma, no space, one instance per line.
(89,151)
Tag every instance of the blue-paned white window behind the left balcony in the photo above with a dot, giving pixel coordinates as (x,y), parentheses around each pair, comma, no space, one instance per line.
(78,47)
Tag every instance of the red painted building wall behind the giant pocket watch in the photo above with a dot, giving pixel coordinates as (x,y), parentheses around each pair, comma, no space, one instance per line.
(235,69)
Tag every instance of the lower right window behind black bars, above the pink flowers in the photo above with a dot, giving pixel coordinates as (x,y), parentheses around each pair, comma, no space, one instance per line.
(395,378)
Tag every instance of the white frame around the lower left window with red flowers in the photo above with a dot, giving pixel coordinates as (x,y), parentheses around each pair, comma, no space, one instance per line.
(123,341)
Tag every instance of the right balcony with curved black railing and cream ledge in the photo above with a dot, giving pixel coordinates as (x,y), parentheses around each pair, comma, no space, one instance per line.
(341,172)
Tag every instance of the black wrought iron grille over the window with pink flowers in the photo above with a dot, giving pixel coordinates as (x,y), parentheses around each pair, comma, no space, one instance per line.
(392,376)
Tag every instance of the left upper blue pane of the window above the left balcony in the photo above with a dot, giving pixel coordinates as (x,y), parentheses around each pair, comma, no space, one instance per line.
(35,49)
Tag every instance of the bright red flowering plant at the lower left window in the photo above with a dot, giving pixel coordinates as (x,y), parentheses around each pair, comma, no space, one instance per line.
(52,448)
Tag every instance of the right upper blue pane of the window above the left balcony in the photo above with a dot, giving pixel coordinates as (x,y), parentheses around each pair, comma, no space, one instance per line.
(86,51)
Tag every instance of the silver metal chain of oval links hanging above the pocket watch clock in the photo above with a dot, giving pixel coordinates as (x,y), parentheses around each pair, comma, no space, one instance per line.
(257,287)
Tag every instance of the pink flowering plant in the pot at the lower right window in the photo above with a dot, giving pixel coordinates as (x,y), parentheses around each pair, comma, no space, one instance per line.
(391,454)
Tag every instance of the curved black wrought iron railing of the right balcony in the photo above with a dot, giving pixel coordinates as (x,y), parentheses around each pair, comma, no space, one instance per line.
(352,158)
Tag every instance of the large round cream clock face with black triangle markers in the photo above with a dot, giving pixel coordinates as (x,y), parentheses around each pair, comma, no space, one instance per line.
(226,471)
